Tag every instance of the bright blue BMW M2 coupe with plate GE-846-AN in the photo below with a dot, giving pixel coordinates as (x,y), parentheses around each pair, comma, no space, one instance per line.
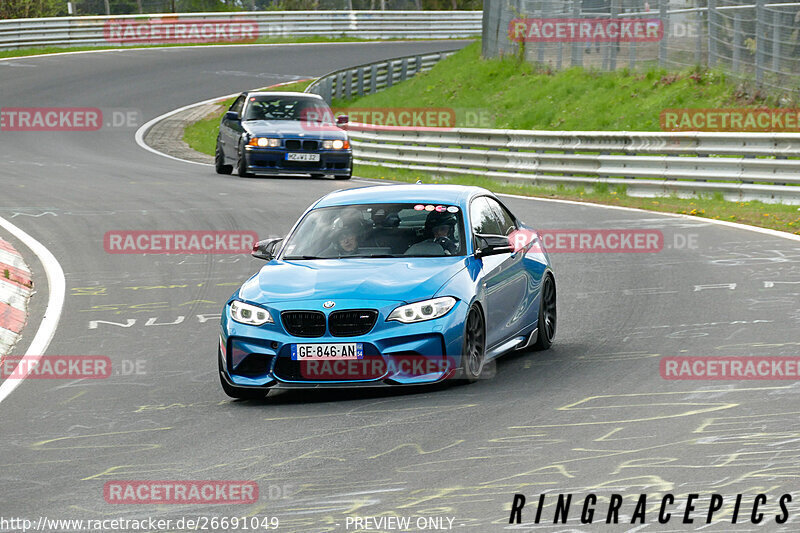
(388,285)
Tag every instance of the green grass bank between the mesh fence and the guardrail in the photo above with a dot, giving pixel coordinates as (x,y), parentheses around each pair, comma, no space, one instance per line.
(518,95)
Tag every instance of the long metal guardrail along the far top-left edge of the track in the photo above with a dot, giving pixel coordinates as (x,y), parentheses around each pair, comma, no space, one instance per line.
(90,31)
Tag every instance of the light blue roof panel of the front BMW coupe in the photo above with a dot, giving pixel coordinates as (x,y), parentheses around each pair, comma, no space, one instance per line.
(422,193)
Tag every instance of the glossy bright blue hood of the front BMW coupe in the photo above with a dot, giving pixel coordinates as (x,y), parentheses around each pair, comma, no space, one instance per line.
(392,279)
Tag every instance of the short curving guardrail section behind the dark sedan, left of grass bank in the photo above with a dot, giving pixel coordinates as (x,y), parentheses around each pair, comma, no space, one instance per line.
(372,77)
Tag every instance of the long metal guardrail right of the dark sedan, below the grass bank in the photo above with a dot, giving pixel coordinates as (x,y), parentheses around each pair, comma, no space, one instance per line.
(741,166)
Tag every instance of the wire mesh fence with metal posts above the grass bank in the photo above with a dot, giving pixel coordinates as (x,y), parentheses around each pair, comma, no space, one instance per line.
(750,39)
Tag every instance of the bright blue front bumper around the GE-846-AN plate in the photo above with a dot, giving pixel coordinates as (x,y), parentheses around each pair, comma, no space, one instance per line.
(393,353)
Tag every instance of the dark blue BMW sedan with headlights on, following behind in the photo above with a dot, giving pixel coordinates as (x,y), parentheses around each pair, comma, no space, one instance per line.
(282,133)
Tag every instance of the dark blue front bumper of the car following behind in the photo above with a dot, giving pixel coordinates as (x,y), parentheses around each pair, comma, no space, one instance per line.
(273,161)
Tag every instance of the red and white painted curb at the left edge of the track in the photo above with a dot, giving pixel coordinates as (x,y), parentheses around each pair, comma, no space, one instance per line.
(15,290)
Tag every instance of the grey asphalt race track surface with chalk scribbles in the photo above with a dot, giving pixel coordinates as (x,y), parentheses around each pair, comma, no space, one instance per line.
(592,415)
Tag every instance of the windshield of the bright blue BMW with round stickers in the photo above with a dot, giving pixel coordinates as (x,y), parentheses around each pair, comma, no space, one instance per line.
(378,230)
